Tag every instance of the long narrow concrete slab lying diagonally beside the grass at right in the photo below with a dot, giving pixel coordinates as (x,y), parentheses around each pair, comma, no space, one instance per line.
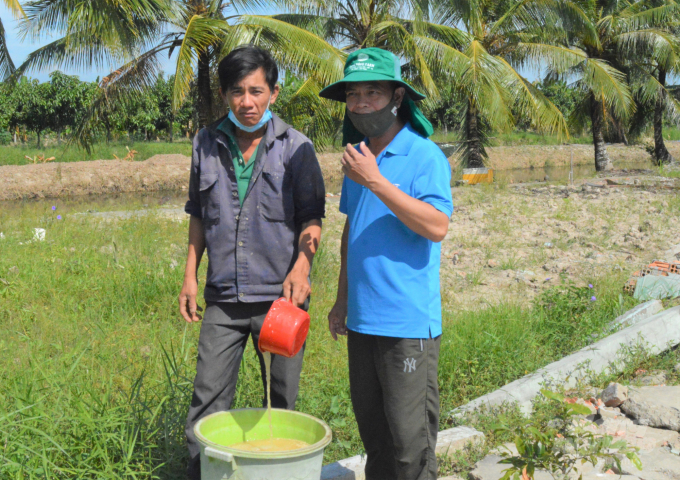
(656,333)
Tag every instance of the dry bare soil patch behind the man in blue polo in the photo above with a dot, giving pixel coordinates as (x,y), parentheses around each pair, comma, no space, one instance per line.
(511,243)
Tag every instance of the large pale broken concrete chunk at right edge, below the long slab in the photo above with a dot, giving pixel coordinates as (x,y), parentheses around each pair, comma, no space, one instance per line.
(654,406)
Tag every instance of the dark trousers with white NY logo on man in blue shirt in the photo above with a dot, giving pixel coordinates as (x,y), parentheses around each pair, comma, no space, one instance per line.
(395,396)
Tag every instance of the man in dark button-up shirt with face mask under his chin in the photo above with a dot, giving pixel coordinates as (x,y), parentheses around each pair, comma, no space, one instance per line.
(256,200)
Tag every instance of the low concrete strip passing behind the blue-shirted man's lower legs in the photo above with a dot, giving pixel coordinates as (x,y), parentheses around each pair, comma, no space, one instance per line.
(448,441)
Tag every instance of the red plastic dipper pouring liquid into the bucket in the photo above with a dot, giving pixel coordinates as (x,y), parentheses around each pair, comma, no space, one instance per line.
(284,329)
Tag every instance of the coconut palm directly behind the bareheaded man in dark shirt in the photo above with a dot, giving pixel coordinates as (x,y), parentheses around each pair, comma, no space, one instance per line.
(137,33)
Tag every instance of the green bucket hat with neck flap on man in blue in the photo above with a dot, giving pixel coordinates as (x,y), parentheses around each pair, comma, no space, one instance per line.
(370,65)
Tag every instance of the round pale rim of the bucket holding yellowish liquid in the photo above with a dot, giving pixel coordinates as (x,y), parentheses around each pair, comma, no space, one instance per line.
(321,444)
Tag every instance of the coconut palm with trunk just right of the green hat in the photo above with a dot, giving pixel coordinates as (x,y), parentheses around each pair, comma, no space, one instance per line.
(450,42)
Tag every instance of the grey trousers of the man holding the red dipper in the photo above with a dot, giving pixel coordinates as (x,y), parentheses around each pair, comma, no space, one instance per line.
(223,337)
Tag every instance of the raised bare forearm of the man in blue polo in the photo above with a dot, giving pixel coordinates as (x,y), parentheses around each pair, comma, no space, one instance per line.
(421,217)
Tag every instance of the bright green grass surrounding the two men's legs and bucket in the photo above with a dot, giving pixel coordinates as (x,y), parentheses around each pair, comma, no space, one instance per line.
(96,365)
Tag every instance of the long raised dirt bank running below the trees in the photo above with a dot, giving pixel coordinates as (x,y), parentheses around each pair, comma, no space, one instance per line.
(171,172)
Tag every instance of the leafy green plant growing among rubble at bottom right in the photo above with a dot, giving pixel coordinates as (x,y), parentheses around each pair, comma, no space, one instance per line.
(561,447)
